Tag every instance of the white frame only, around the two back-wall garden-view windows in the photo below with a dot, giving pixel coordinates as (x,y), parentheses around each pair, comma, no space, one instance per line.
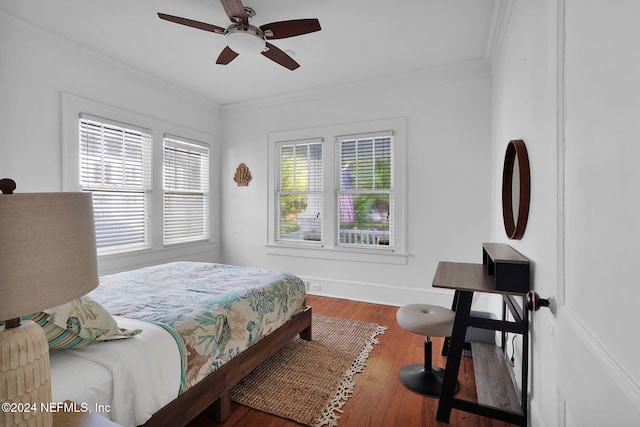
(329,248)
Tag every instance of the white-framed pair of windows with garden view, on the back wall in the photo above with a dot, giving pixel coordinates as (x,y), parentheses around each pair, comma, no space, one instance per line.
(337,192)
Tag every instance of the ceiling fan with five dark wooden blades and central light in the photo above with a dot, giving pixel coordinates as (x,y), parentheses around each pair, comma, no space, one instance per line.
(242,37)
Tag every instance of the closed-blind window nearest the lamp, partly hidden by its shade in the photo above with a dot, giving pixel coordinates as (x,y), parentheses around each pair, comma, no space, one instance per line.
(115,165)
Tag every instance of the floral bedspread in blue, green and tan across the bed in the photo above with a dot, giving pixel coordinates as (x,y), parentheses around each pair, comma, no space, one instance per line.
(217,310)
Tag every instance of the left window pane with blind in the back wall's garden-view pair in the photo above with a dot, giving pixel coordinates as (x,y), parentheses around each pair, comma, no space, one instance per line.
(299,189)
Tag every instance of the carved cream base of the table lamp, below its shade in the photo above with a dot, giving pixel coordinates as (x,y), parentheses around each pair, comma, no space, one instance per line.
(25,379)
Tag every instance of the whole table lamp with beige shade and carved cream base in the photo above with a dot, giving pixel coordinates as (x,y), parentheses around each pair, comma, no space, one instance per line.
(47,258)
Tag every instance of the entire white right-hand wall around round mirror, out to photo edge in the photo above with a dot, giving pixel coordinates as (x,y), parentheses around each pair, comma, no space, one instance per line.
(576,105)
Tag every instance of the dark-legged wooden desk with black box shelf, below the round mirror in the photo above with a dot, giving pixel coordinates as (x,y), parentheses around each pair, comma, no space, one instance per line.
(503,271)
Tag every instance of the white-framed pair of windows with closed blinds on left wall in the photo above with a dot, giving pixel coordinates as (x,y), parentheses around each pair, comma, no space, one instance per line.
(152,188)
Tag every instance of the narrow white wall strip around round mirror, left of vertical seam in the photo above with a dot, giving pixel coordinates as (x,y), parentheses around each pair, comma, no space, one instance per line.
(524,107)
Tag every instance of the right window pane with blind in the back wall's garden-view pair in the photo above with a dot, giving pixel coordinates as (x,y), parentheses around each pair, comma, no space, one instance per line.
(365,190)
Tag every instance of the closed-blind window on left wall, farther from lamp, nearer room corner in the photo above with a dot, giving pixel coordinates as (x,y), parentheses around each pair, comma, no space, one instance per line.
(186,191)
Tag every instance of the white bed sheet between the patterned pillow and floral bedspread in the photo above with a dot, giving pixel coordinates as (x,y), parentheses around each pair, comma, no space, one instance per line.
(128,379)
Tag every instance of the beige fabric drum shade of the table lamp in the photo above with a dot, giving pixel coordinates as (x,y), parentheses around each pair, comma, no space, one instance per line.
(47,251)
